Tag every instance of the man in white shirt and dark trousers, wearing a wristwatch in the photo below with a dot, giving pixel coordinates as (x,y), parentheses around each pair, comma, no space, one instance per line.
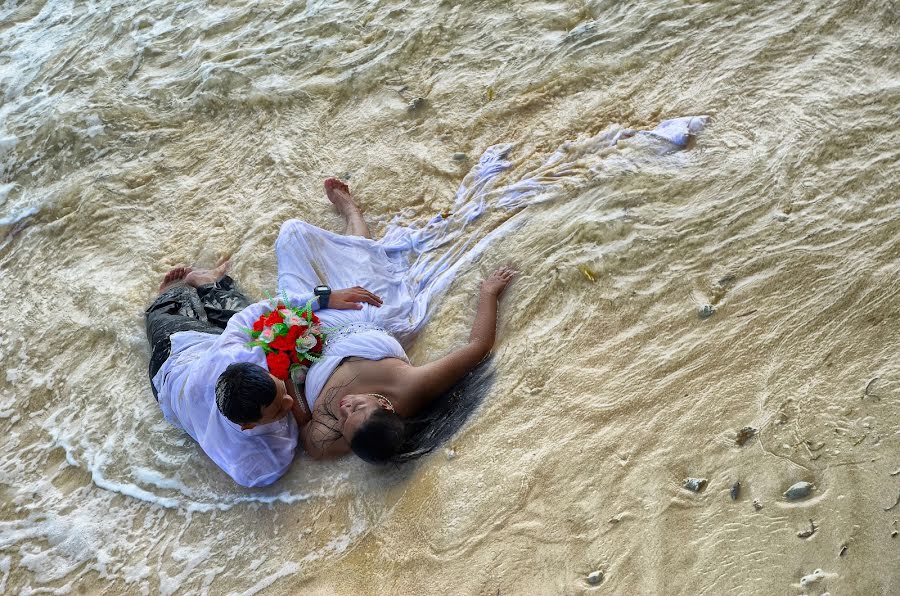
(196,331)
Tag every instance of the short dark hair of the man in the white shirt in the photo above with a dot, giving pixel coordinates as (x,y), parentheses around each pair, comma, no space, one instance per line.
(243,390)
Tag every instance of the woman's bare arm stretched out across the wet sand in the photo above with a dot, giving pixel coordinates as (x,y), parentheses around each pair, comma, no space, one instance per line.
(432,380)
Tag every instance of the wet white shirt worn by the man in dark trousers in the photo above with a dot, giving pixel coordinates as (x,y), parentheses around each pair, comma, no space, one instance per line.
(186,383)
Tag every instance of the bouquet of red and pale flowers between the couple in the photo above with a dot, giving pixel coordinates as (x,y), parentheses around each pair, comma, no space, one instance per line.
(291,339)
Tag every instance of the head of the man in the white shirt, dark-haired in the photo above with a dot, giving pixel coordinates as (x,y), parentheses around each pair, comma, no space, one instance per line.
(248,395)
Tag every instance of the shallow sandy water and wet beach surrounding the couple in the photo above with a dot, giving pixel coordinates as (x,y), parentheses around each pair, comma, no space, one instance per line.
(134,138)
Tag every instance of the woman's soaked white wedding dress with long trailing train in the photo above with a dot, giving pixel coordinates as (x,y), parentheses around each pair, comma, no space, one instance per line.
(412,264)
